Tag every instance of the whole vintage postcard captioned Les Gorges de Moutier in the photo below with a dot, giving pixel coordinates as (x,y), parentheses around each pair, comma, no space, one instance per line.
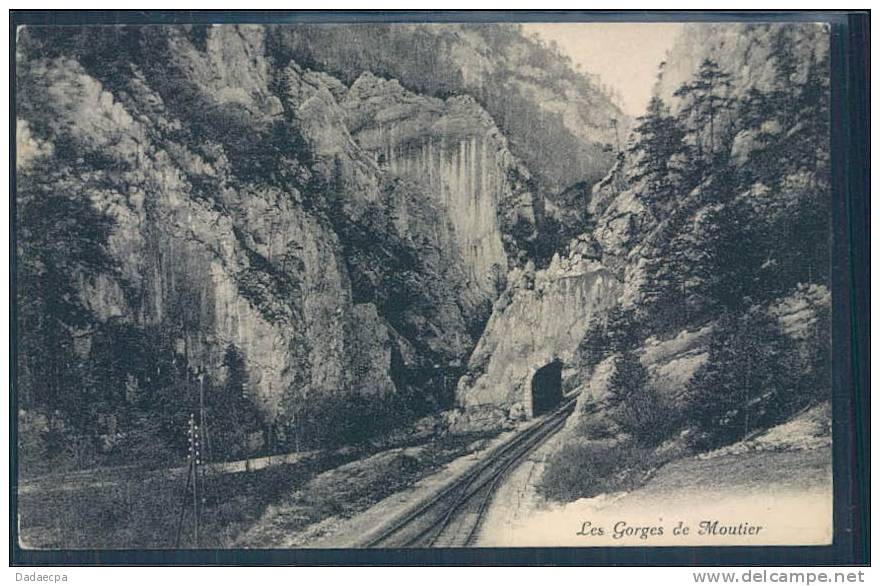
(422,285)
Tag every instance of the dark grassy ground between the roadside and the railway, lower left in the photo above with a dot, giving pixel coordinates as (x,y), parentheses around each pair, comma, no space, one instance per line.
(141,508)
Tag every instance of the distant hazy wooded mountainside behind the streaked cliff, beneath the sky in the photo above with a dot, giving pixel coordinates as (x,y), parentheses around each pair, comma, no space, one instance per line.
(557,120)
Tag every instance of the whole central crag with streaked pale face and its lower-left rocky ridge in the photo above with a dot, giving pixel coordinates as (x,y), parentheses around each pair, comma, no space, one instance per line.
(440,168)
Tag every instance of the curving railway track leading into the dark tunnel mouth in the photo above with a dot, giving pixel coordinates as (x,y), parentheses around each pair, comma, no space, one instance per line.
(452,518)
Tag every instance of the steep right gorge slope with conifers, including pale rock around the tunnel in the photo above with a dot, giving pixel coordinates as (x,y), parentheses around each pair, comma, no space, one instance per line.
(713,220)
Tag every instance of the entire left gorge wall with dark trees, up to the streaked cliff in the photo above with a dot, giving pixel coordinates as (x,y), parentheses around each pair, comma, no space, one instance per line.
(241,222)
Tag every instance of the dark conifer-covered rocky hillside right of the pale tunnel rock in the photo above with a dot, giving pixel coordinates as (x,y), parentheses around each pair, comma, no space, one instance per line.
(732,184)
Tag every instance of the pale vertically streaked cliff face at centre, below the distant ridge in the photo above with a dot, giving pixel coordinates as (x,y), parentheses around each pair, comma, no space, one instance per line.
(452,150)
